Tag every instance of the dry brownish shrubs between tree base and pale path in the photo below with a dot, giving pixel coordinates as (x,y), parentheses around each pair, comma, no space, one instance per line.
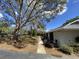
(23,41)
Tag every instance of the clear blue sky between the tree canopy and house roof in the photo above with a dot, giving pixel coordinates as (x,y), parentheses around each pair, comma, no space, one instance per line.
(72,11)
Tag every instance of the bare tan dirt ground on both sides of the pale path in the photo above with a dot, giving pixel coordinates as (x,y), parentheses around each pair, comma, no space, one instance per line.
(31,48)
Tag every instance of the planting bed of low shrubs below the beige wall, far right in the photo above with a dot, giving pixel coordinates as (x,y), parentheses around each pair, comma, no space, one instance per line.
(69,49)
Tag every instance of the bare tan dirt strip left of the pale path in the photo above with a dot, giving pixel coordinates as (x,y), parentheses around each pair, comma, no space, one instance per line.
(28,48)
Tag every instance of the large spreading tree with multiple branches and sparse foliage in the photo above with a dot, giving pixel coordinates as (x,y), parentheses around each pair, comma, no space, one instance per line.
(33,13)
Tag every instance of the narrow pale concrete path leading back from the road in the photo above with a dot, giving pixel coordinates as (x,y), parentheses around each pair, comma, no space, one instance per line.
(41,48)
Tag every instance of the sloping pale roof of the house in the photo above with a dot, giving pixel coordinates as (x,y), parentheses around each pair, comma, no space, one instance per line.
(74,25)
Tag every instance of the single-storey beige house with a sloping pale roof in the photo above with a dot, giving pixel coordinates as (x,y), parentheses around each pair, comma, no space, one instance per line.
(65,34)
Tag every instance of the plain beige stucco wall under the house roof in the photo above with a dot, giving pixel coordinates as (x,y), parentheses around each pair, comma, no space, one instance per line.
(66,36)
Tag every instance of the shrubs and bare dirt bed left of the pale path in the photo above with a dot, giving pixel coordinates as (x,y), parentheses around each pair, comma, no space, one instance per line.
(27,44)
